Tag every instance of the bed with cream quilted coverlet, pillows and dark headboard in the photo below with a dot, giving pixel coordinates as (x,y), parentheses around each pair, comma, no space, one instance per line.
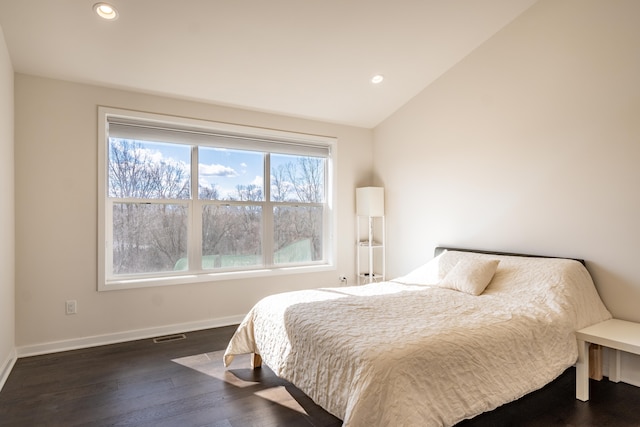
(463,334)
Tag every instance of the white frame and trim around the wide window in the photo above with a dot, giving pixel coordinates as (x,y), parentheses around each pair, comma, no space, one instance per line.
(105,283)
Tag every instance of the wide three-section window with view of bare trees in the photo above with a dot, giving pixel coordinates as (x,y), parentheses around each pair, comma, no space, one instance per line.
(186,200)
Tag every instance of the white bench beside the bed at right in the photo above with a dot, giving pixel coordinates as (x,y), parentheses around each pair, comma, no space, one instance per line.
(619,335)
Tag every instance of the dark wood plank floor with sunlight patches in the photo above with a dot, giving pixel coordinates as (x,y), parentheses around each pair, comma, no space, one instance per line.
(183,383)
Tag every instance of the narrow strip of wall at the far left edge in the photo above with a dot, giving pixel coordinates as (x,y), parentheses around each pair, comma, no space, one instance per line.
(7,241)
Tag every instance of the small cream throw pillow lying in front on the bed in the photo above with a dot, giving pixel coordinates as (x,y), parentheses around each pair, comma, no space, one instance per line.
(470,275)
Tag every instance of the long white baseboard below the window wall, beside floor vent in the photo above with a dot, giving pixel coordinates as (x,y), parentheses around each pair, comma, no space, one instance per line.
(118,337)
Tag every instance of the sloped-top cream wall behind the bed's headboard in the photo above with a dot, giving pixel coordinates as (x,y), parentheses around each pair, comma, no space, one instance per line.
(530,144)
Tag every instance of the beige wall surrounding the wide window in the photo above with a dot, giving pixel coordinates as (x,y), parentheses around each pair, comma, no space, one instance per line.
(56,221)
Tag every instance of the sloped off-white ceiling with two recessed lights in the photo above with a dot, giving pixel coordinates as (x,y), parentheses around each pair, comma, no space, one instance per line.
(303,58)
